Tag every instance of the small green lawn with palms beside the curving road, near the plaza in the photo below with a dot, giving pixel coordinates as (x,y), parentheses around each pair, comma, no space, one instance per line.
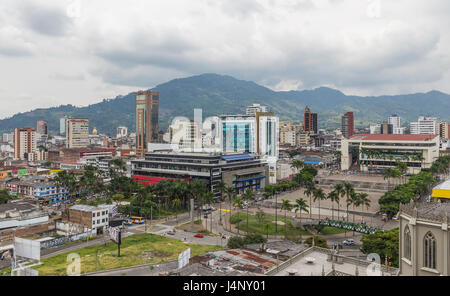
(255,226)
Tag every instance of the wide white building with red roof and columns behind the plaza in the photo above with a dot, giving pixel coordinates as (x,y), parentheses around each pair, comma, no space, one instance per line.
(378,152)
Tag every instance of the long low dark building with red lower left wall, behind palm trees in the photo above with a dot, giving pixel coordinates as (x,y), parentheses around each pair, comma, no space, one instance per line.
(239,171)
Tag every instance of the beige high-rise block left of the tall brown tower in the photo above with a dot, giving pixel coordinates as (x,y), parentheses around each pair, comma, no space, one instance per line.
(77,133)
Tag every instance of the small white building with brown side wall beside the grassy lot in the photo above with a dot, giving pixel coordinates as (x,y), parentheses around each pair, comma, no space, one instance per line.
(94,218)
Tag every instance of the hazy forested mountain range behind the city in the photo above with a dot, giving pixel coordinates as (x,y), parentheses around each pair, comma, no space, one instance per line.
(217,94)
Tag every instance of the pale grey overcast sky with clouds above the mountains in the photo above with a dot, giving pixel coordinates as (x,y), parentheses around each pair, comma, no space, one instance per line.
(78,52)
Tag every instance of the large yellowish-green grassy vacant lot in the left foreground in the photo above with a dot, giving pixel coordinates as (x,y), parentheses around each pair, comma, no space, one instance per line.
(136,249)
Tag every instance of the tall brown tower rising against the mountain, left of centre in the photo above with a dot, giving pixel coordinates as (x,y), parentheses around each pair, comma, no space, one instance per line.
(147,104)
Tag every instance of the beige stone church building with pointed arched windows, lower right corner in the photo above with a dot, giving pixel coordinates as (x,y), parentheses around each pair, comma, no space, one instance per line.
(424,239)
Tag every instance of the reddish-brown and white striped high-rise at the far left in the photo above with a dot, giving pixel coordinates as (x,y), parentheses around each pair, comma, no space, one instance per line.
(25,143)
